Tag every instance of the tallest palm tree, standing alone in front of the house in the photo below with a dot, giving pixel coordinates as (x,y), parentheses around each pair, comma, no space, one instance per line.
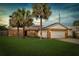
(41,11)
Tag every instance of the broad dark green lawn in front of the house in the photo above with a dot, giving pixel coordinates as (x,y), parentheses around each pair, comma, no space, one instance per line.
(11,46)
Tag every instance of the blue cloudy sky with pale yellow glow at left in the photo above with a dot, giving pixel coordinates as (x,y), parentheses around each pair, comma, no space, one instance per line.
(69,12)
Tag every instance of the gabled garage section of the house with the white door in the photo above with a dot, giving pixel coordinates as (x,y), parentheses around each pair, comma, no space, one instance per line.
(56,30)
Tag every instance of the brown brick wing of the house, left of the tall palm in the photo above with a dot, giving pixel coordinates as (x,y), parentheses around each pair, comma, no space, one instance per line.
(29,31)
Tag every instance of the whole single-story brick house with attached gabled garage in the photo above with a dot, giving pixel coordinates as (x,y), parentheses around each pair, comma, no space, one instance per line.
(55,30)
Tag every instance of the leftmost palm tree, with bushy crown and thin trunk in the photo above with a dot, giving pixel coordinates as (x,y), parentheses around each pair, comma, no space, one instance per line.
(15,21)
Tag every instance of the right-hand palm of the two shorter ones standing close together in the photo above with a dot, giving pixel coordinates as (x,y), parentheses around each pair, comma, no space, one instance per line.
(26,19)
